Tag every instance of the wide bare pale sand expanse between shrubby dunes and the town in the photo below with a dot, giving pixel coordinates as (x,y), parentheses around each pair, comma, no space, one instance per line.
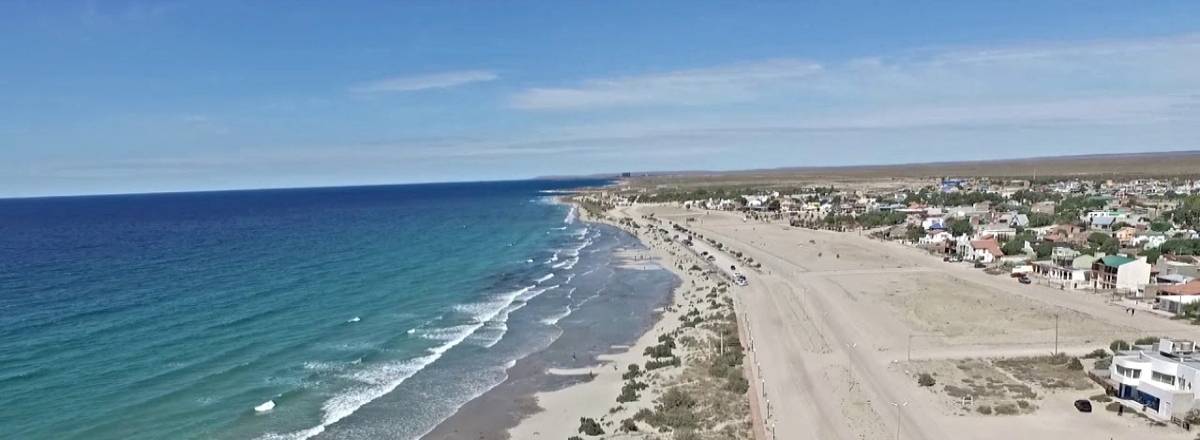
(836,318)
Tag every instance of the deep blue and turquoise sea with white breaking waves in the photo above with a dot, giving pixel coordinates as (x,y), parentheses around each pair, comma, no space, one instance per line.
(175,316)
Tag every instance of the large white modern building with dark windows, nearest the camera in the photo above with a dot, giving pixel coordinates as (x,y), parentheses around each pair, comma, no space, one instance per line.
(1159,378)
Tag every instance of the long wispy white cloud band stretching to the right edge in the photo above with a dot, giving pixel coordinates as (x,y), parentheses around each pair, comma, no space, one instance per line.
(1013,77)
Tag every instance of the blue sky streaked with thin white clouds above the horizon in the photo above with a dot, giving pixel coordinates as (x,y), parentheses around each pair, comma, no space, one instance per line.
(163,97)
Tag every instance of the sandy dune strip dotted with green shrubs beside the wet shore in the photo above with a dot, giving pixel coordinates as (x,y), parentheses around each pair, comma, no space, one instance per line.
(691,379)
